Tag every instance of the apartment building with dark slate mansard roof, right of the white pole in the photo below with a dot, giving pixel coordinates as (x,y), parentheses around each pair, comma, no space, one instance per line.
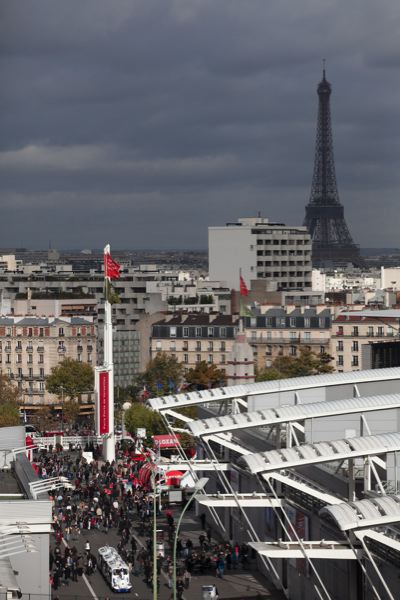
(194,338)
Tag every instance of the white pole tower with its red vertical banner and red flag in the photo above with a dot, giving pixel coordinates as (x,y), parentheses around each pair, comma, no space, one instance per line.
(104,374)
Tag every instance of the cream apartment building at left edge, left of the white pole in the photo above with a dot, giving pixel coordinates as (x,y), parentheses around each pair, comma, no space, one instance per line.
(31,346)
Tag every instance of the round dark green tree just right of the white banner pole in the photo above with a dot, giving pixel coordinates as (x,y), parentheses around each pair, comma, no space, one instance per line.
(163,375)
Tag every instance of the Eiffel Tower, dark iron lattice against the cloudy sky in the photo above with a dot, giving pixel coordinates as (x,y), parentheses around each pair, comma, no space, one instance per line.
(332,244)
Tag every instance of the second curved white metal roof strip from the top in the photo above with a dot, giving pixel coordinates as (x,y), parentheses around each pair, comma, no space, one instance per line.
(298,412)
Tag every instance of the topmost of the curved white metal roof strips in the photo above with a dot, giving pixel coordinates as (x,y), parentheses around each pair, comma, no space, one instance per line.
(267,387)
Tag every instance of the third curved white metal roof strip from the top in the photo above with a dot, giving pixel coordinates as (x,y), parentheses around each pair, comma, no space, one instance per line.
(320,452)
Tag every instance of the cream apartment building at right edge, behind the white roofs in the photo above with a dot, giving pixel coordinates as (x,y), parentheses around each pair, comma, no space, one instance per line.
(353,331)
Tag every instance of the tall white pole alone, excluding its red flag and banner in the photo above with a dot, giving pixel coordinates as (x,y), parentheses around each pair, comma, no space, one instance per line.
(109,440)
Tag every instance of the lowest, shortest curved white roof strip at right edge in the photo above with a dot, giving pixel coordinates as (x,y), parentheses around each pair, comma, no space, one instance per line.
(373,512)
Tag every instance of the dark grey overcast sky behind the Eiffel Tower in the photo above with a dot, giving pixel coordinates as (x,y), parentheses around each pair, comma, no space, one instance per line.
(142,122)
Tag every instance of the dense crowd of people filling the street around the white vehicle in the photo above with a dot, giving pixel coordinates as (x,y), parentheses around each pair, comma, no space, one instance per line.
(113,496)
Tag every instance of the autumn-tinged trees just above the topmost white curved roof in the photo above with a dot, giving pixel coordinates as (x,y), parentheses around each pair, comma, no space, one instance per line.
(307,363)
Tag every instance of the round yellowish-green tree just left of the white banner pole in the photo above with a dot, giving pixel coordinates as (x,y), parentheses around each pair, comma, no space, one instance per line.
(70,379)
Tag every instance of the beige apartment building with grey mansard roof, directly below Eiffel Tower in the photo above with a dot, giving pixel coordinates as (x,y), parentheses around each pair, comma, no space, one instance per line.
(283,331)
